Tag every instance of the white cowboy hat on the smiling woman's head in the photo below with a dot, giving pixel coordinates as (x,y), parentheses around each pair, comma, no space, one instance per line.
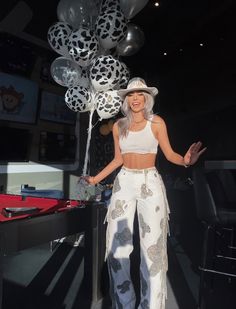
(137,84)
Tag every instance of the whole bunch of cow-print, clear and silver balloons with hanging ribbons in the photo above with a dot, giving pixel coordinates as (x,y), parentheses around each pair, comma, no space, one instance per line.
(87,35)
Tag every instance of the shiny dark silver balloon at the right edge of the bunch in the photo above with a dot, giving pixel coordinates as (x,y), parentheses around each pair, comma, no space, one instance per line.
(133,41)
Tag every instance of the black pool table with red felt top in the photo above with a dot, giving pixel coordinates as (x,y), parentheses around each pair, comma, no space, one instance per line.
(55,219)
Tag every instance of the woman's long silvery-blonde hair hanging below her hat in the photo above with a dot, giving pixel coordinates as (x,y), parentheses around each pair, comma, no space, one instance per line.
(124,123)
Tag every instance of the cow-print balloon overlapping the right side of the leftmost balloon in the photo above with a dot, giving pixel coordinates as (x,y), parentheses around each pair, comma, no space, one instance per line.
(83,46)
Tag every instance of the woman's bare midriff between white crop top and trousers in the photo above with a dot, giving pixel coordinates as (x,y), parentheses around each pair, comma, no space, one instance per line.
(139,161)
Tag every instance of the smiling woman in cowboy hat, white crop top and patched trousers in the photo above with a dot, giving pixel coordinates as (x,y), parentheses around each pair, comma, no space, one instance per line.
(138,186)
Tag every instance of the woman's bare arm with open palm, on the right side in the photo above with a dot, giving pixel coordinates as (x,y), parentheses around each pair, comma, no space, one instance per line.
(161,134)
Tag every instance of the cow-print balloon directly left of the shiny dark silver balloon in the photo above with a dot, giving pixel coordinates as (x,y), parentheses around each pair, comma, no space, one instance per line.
(111,28)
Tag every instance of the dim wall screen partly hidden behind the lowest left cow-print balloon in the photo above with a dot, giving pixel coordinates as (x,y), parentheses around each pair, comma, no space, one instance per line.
(54,108)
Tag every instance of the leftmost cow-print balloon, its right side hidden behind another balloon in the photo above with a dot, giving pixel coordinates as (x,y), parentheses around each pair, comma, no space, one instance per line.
(58,35)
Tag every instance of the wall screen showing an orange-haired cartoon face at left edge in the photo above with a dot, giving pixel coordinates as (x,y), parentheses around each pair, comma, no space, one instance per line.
(18,98)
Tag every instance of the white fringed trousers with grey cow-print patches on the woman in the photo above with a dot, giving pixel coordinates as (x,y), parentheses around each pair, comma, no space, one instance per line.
(144,191)
